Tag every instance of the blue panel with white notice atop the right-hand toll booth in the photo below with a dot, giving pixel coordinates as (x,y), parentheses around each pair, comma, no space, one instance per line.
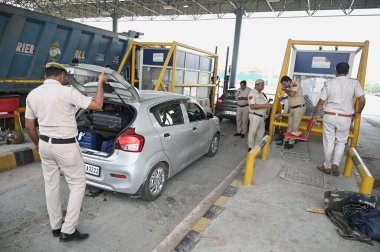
(318,62)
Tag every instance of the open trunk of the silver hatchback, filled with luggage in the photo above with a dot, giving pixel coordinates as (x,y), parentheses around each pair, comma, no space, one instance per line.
(98,130)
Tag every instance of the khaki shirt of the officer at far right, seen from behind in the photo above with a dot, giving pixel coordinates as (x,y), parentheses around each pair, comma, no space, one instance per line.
(339,94)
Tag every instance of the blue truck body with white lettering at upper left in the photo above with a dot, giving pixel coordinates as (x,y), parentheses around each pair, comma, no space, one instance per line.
(28,40)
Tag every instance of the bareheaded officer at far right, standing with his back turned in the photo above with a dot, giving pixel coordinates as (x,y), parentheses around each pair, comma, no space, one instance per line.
(337,96)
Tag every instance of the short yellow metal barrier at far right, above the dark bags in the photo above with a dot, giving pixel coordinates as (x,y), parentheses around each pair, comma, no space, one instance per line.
(366,185)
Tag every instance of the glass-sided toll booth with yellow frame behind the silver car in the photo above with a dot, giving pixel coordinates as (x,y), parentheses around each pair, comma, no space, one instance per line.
(173,67)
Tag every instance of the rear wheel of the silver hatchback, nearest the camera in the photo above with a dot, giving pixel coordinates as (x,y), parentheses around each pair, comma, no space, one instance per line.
(155,183)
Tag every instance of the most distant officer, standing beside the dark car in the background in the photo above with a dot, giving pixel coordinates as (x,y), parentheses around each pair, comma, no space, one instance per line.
(242,109)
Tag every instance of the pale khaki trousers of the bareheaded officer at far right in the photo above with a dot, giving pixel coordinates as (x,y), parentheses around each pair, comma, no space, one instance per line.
(335,135)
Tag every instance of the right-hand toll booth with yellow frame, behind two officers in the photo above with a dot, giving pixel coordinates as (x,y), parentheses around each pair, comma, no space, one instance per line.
(312,63)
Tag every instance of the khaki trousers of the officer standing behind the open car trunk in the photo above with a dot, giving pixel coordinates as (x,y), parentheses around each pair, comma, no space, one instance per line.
(67,157)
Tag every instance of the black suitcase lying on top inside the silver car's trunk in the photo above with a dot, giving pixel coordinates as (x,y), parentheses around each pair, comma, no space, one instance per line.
(109,121)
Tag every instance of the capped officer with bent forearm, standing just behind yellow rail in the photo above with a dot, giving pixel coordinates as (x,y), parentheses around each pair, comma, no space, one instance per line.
(258,111)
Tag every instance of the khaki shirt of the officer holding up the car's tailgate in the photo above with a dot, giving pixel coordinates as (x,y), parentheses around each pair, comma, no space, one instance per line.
(53,105)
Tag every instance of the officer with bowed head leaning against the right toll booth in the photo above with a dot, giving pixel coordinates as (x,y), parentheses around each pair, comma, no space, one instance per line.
(297,108)
